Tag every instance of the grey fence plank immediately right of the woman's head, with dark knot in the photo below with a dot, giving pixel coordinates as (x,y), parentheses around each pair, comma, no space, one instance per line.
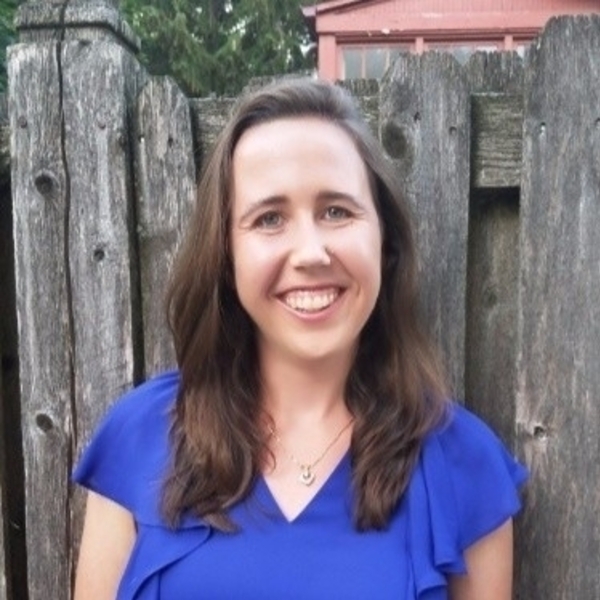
(425,129)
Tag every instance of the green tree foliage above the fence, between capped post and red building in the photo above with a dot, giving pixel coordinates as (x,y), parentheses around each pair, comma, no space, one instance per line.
(217,46)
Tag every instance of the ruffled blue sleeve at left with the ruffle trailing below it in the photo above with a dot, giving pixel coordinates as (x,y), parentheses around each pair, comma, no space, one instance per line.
(126,461)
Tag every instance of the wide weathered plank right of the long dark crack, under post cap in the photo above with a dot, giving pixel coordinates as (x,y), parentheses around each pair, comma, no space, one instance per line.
(99,82)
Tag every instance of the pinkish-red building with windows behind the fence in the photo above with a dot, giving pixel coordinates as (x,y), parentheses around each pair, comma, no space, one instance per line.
(360,38)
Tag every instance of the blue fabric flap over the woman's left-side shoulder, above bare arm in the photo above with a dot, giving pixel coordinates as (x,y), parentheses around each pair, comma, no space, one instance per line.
(129,453)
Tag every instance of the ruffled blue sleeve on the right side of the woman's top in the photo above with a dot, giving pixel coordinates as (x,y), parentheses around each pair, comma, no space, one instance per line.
(465,486)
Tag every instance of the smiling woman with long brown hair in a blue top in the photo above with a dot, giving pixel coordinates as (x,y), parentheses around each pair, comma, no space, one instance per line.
(305,447)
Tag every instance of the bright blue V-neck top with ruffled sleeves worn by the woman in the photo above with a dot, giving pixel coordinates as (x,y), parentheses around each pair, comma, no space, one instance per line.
(463,487)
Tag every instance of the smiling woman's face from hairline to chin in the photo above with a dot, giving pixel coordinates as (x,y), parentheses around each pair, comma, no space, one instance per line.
(305,237)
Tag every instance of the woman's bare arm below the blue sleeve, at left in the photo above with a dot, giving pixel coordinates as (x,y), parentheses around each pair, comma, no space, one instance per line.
(108,538)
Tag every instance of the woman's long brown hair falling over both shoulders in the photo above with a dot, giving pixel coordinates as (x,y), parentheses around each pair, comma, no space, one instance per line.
(395,389)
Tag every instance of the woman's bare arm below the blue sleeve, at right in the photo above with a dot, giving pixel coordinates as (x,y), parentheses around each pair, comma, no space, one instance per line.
(489,568)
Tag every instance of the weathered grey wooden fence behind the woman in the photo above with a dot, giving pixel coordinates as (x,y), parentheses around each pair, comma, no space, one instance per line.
(501,162)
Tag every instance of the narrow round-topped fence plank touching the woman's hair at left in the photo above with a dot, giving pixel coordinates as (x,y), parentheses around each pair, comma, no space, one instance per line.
(165,193)
